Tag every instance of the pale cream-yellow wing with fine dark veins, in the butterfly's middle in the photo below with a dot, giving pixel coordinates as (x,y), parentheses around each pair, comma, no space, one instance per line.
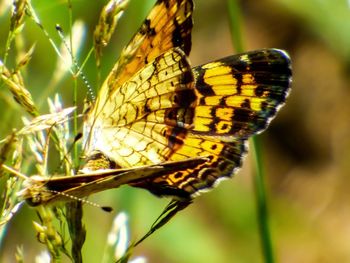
(149,118)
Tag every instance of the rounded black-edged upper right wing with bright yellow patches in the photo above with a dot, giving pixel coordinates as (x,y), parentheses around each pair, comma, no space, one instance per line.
(240,94)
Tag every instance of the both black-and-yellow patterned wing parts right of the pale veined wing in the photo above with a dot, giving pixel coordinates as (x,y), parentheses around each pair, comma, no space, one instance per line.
(236,97)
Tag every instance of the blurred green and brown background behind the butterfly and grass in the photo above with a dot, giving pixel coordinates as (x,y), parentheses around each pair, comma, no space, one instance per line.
(306,149)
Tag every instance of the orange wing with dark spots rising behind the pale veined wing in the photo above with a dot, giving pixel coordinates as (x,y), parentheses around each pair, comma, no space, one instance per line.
(168,25)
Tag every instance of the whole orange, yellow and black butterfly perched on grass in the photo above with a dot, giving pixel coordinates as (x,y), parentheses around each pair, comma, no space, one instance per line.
(156,110)
